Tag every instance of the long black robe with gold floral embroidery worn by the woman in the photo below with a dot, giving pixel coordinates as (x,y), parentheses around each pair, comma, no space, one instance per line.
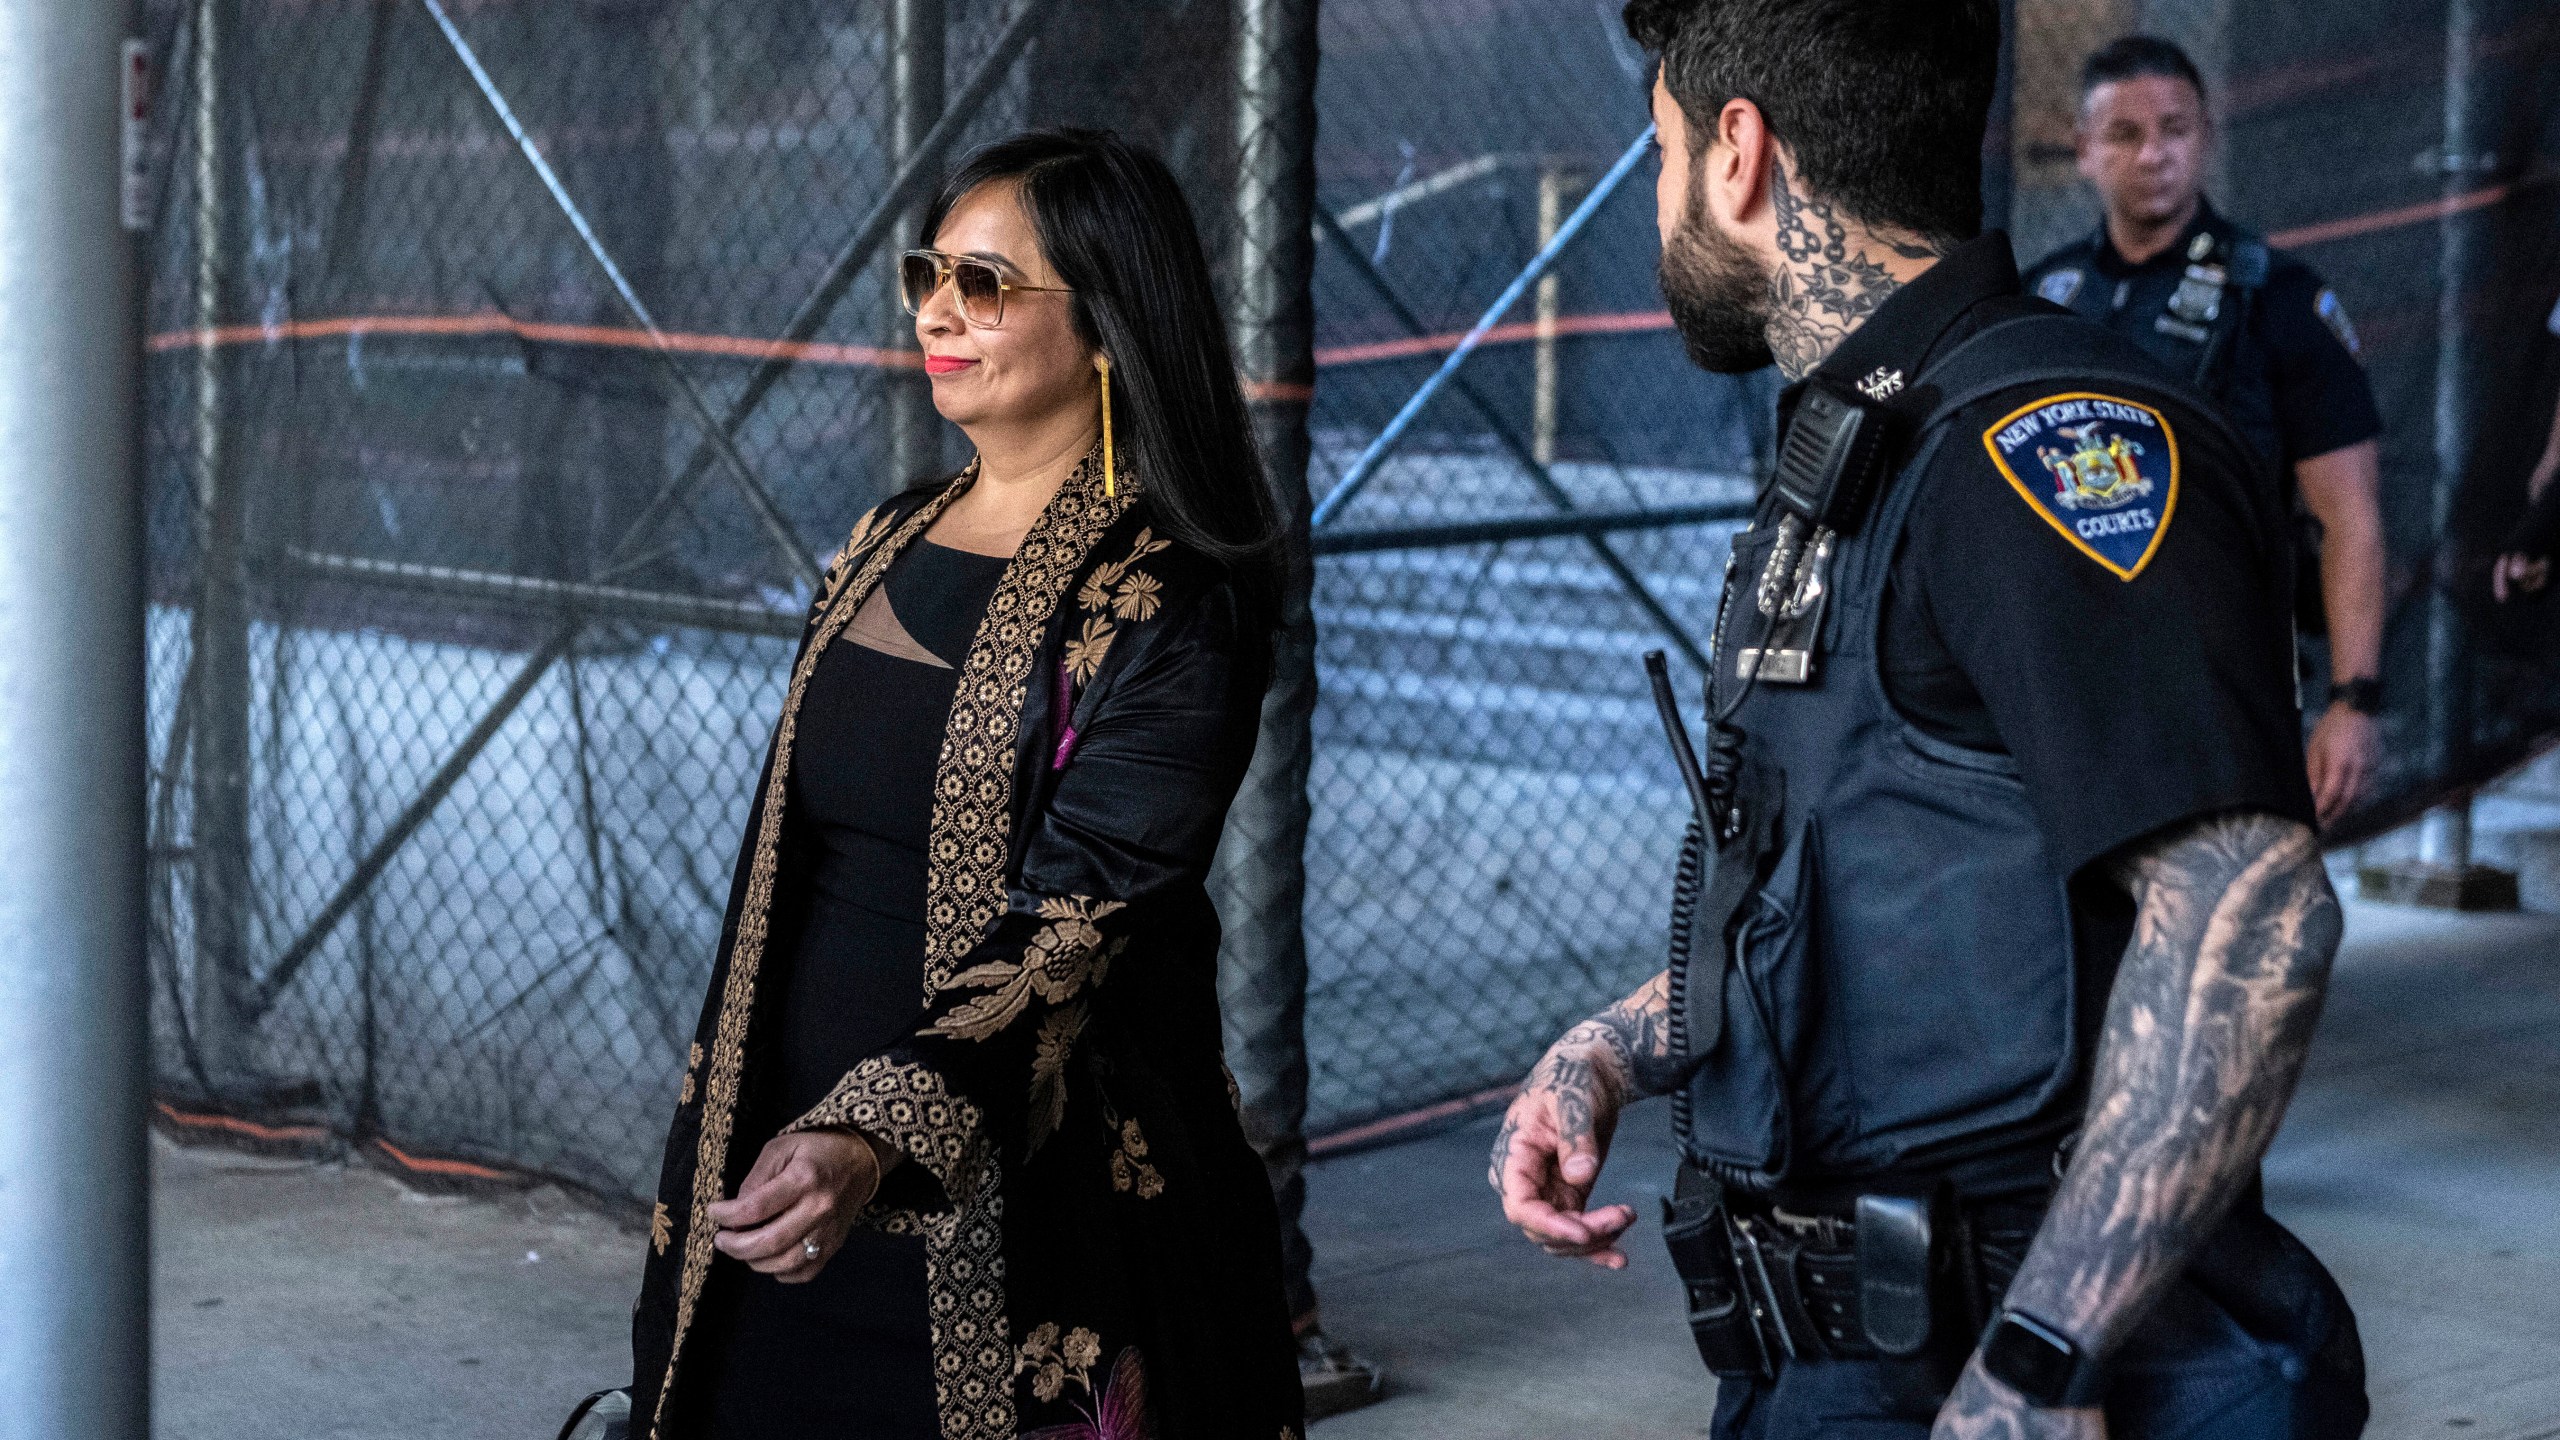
(1102,1249)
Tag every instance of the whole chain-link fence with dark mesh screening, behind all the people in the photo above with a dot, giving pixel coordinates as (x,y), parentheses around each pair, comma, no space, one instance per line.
(511,363)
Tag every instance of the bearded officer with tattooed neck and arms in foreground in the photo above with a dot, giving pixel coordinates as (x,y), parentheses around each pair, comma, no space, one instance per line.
(1988,978)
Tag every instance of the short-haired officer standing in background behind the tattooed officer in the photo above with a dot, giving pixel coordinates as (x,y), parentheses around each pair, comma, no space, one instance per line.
(2264,337)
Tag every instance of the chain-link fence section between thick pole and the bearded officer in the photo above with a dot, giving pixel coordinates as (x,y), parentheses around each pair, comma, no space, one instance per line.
(1494,806)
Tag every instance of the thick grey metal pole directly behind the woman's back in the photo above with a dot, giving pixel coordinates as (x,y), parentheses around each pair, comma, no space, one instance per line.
(1261,872)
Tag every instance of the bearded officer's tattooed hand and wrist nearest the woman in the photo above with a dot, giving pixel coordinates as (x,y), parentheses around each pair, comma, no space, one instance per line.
(1558,1131)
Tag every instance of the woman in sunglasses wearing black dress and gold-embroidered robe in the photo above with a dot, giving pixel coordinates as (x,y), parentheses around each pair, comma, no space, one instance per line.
(956,1154)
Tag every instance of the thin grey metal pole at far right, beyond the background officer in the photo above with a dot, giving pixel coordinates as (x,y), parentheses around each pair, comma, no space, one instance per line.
(2446,837)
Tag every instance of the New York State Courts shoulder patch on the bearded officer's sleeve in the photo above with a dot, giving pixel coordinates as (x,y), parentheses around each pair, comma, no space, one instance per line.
(2098,468)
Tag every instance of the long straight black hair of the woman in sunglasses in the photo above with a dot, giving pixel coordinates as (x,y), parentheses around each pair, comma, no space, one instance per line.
(1117,232)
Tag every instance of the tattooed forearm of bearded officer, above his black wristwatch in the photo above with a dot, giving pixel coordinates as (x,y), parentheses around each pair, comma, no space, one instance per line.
(2208,1029)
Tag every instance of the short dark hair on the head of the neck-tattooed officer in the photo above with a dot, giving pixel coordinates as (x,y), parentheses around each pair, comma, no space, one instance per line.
(1883,104)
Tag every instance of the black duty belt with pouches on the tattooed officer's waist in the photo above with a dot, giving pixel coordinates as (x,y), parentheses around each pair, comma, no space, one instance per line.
(1898,1277)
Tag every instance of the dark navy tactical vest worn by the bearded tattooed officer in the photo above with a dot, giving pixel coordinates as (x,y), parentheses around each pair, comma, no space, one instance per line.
(1880,975)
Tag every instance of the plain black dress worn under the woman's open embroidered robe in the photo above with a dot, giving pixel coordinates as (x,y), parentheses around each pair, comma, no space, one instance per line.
(851,1352)
